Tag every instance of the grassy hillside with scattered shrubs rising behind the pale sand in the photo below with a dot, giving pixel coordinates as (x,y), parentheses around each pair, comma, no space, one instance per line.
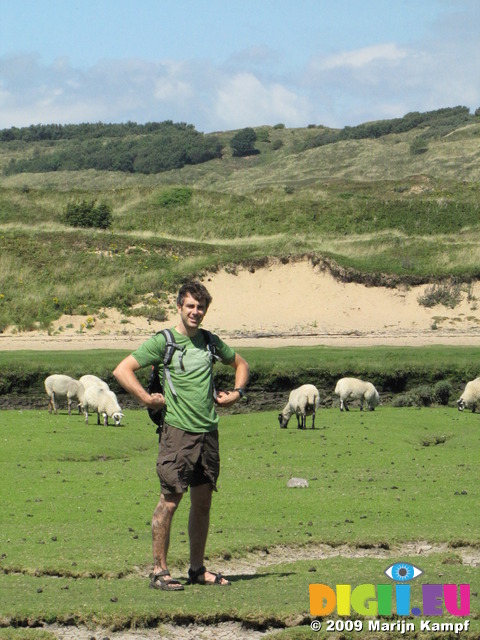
(376,206)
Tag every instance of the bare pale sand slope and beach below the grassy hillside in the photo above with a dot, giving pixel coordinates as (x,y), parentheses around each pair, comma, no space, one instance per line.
(290,304)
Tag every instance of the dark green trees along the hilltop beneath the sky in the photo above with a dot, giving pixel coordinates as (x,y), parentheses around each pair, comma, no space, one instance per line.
(161,146)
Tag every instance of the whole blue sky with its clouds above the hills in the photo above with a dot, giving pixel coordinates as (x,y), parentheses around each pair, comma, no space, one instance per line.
(223,65)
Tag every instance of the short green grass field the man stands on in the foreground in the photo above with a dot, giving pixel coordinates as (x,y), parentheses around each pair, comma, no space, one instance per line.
(77,502)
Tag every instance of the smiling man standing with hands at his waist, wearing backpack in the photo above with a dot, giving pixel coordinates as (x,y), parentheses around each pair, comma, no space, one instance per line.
(188,452)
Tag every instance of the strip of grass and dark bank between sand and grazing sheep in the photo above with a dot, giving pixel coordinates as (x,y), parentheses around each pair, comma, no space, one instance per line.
(404,377)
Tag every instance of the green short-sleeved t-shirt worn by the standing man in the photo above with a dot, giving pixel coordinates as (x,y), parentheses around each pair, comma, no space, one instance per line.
(193,408)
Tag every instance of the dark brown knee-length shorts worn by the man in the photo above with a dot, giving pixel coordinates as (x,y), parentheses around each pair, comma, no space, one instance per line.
(187,459)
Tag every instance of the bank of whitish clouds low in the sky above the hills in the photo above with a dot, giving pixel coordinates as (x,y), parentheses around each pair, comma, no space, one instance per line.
(255,85)
